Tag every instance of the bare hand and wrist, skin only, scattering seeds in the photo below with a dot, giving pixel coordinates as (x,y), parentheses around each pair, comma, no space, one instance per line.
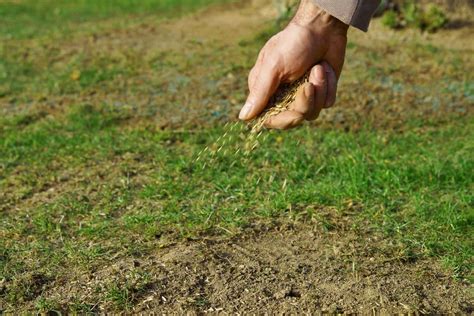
(313,39)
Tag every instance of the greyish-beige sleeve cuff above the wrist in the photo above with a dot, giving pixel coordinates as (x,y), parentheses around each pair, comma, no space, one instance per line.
(352,12)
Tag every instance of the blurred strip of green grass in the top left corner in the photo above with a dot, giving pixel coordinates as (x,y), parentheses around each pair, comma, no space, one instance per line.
(30,18)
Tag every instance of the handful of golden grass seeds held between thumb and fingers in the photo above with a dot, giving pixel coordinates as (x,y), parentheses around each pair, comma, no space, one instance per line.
(279,102)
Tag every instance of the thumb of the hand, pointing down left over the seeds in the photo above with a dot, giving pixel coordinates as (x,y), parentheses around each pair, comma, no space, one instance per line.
(264,85)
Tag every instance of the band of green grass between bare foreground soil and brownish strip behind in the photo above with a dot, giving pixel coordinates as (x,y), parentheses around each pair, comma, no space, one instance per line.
(415,186)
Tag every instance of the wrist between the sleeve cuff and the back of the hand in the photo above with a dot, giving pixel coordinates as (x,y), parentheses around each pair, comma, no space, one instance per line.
(315,19)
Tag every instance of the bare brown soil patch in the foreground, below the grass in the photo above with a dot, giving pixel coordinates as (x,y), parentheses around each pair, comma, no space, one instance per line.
(281,268)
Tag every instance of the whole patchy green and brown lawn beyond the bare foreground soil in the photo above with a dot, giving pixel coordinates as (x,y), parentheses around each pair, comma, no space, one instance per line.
(89,171)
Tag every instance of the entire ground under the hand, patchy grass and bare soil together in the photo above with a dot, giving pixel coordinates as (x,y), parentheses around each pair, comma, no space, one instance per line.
(104,207)
